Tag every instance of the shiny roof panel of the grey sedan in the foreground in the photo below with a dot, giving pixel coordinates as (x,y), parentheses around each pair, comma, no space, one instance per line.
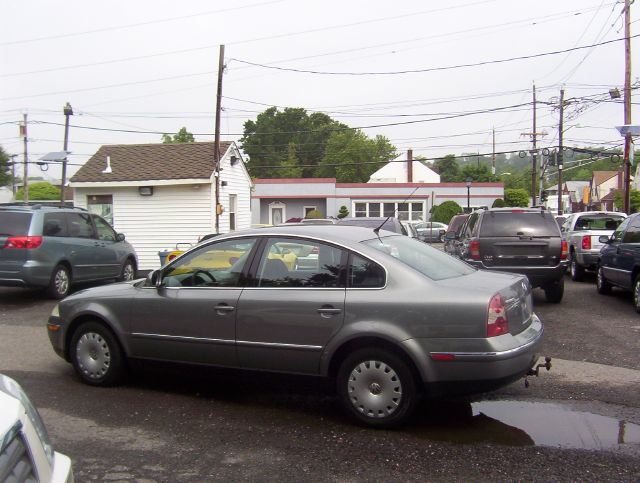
(338,233)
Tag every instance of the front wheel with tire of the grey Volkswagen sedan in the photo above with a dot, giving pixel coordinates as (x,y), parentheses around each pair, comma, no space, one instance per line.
(96,355)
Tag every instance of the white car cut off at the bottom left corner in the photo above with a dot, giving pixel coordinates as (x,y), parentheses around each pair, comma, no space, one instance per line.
(26,453)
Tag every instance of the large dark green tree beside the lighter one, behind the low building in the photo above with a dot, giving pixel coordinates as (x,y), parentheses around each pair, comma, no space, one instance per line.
(267,140)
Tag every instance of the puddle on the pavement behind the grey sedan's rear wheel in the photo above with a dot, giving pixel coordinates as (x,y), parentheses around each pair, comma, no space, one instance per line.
(516,423)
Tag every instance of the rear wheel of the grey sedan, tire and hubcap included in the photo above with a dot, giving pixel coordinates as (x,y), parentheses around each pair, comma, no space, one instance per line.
(377,388)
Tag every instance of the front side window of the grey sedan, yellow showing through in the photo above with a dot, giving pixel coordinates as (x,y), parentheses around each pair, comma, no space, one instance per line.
(216,265)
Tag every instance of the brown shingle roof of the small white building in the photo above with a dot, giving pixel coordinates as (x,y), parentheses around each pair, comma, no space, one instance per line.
(144,162)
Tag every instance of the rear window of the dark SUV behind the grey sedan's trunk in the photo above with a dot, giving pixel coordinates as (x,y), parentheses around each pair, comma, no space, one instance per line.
(507,223)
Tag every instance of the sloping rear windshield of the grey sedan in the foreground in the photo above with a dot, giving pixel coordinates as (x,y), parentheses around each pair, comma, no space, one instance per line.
(427,260)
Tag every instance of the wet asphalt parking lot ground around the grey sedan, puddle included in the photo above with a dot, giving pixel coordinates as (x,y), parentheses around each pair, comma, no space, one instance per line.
(579,421)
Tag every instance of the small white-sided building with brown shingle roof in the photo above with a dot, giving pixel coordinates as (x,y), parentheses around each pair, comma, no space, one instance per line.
(163,195)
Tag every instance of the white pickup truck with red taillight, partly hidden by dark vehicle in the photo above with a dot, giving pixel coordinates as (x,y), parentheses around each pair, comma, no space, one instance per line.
(581,232)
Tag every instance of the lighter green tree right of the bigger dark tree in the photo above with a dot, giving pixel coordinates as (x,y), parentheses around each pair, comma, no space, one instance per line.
(352,157)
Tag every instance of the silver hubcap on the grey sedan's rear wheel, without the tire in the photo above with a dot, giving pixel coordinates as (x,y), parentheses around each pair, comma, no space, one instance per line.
(374,389)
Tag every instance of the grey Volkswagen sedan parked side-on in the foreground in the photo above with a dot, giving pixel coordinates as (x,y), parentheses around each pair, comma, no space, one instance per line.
(388,317)
